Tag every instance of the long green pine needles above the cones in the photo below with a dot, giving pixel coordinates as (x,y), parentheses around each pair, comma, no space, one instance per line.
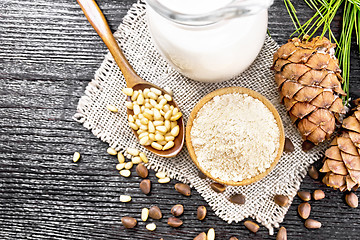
(325,11)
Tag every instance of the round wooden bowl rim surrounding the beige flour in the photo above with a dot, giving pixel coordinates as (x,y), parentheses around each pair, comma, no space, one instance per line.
(253,94)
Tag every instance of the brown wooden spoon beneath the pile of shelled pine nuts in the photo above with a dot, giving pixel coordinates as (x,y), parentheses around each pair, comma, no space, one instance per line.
(98,21)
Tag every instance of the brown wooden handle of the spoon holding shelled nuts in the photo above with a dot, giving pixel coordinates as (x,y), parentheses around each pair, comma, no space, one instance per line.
(98,21)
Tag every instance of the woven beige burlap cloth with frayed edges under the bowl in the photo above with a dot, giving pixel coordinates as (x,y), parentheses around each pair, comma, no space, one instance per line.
(105,88)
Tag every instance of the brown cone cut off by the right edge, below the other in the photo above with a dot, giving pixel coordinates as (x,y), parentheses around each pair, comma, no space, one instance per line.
(342,159)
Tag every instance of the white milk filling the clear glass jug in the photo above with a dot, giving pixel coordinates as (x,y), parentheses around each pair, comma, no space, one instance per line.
(210,52)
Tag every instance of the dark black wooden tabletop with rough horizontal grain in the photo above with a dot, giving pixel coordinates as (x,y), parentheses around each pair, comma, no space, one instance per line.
(48,54)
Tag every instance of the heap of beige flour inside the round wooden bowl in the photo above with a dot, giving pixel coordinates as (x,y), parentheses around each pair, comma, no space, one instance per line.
(235,137)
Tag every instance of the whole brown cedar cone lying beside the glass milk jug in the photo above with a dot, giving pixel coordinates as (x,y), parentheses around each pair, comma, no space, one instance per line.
(309,81)
